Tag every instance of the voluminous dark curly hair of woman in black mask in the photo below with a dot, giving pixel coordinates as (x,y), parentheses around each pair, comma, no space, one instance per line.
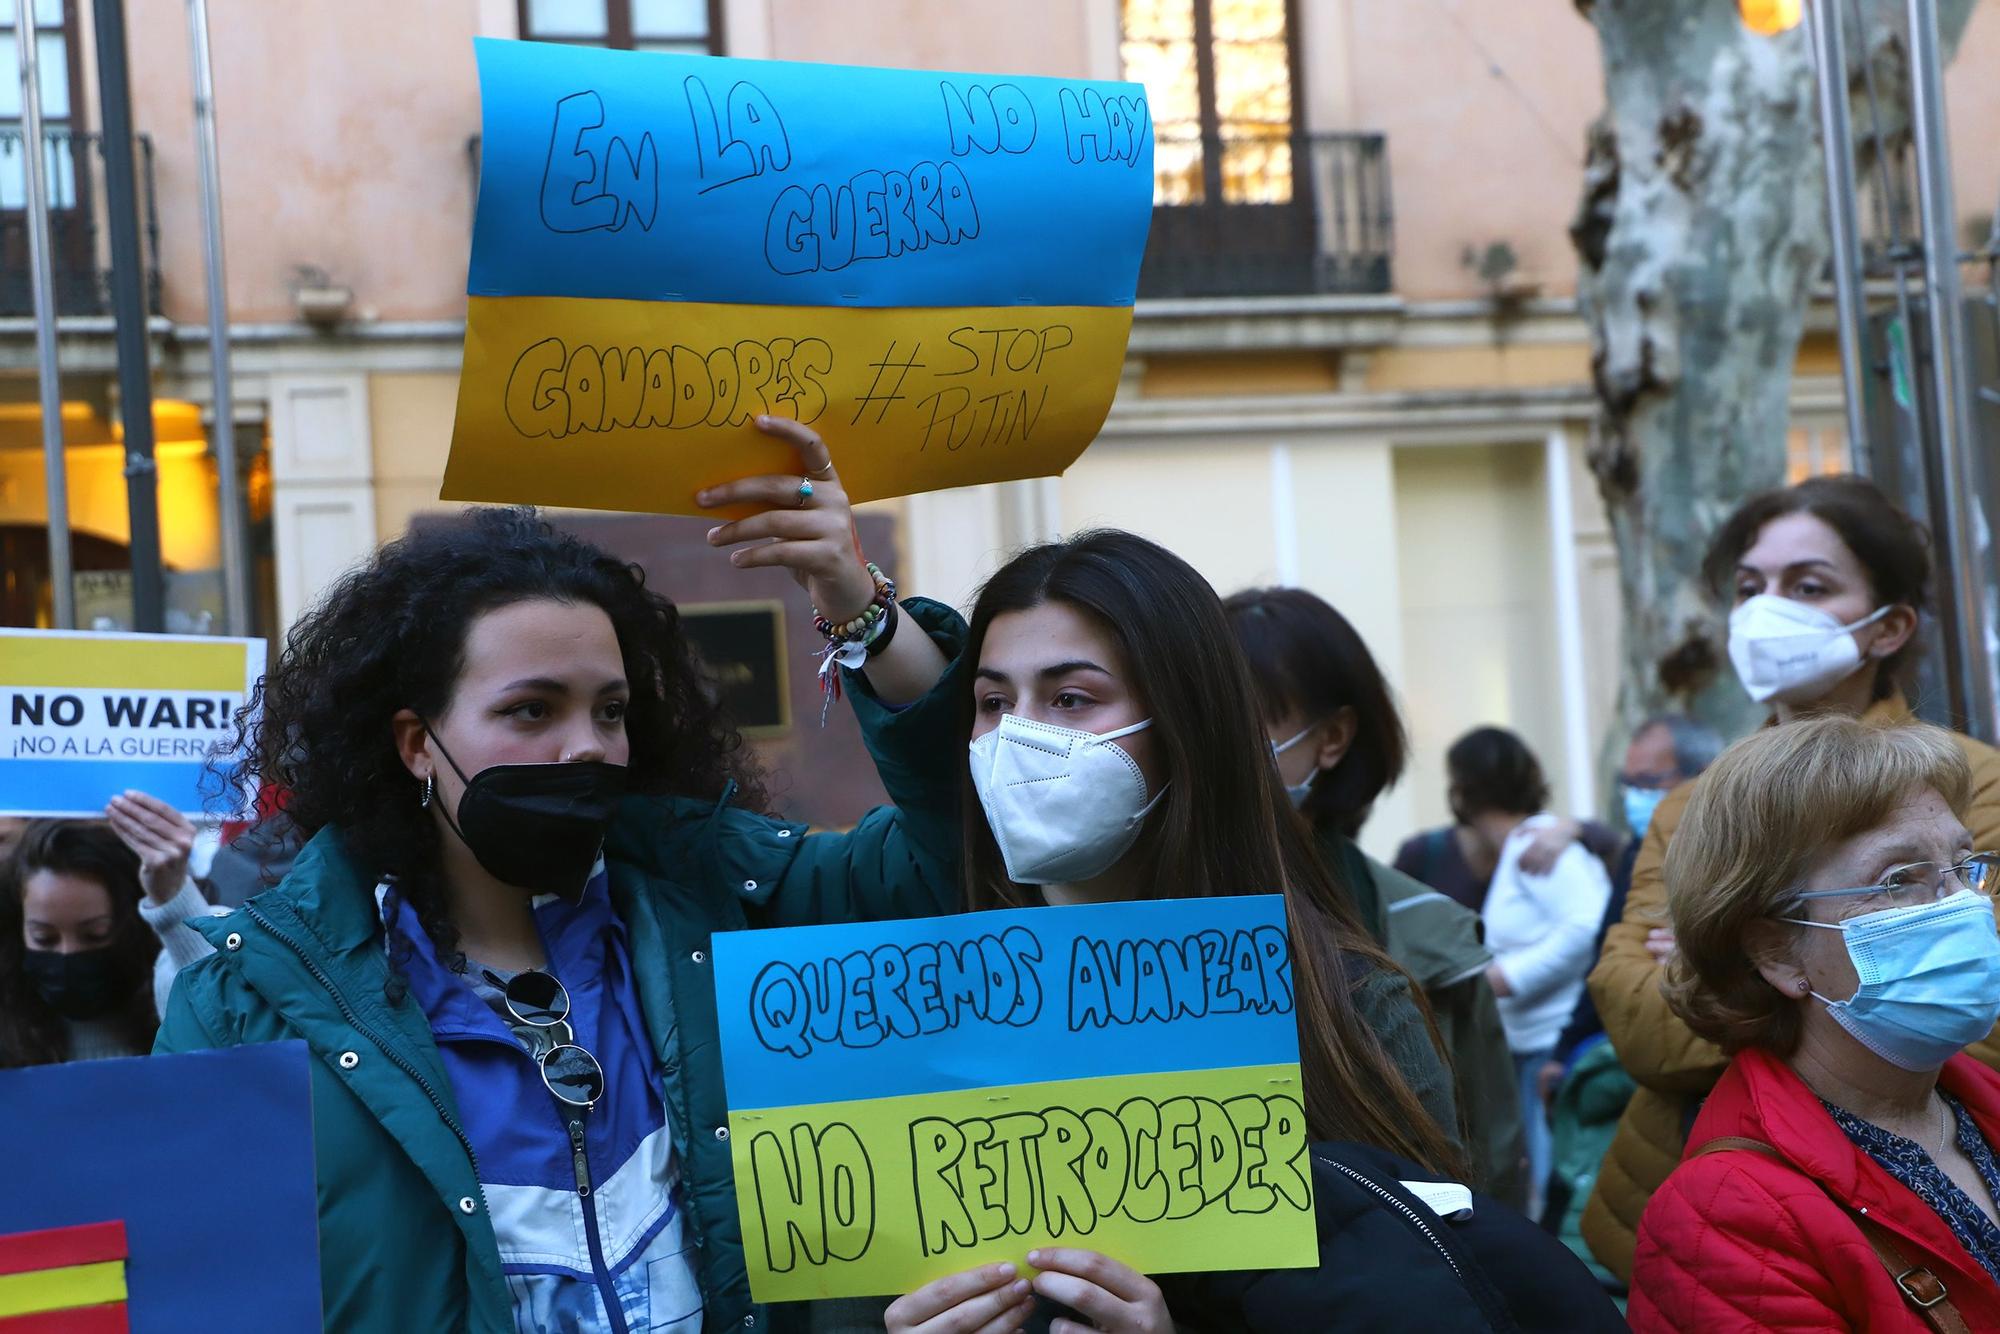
(391,635)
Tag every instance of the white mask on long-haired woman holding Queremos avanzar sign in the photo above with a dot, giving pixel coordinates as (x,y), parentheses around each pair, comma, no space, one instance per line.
(1063,805)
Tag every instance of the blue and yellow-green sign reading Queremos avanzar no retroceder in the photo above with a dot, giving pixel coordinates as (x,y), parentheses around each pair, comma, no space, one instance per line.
(913,1099)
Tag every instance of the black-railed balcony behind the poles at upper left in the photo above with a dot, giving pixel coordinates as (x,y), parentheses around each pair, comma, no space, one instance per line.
(73,173)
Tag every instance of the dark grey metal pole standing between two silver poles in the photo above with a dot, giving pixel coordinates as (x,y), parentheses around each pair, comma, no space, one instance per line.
(129,307)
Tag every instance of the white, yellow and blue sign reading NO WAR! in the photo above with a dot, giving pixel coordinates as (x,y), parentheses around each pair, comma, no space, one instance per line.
(85,717)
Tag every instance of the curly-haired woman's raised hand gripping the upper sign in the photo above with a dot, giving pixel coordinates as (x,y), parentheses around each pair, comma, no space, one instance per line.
(813,537)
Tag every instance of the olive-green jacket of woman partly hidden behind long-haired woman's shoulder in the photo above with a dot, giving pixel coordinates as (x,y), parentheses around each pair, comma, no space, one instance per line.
(1437,941)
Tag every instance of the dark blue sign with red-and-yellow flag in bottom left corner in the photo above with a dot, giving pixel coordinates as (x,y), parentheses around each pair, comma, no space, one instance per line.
(161,1193)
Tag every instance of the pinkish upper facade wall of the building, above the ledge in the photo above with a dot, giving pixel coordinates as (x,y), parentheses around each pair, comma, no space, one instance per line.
(345,125)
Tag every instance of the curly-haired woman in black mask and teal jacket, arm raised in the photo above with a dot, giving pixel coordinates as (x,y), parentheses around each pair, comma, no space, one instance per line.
(527,821)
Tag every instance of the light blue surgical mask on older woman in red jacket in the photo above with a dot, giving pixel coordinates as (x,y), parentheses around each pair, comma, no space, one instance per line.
(1929,979)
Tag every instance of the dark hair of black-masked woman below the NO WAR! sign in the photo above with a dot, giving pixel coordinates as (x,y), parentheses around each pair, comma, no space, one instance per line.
(31,1031)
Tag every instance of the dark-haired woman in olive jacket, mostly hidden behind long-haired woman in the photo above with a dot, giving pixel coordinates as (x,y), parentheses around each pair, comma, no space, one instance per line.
(1341,743)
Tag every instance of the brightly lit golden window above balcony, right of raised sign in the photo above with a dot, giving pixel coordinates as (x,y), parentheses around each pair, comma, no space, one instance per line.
(1221,83)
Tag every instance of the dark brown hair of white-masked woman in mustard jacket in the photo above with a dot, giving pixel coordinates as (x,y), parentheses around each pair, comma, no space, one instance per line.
(1889,545)
